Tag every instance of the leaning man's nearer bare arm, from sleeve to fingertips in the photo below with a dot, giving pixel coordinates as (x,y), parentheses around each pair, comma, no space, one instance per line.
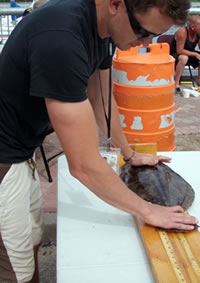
(75,126)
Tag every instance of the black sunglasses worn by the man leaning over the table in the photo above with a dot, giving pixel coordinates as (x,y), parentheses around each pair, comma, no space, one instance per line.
(139,31)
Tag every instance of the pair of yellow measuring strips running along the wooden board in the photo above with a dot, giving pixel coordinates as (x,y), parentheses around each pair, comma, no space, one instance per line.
(173,259)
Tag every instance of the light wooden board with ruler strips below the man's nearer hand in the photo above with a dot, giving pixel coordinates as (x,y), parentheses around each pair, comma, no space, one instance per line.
(174,257)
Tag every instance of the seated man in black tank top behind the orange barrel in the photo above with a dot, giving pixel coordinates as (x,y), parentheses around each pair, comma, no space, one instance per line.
(182,48)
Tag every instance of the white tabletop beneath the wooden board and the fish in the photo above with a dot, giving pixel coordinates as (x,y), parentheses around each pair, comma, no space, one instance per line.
(98,243)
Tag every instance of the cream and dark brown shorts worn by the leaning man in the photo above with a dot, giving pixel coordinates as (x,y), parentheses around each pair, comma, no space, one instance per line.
(20,222)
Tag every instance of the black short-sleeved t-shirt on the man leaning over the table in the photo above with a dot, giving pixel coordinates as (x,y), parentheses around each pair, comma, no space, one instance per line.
(51,53)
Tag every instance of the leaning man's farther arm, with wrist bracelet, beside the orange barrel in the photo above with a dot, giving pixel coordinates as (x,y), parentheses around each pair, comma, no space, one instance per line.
(117,135)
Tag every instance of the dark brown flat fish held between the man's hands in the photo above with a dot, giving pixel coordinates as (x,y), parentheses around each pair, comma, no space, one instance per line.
(158,184)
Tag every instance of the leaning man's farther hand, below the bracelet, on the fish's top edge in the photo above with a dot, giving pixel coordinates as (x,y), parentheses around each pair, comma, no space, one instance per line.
(148,159)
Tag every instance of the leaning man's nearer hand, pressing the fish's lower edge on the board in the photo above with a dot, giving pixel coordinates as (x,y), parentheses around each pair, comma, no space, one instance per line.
(169,218)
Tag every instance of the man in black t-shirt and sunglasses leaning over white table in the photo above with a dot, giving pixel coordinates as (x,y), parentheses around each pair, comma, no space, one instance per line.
(59,81)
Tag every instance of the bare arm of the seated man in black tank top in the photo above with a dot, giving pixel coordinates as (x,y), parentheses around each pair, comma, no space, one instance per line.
(181,36)
